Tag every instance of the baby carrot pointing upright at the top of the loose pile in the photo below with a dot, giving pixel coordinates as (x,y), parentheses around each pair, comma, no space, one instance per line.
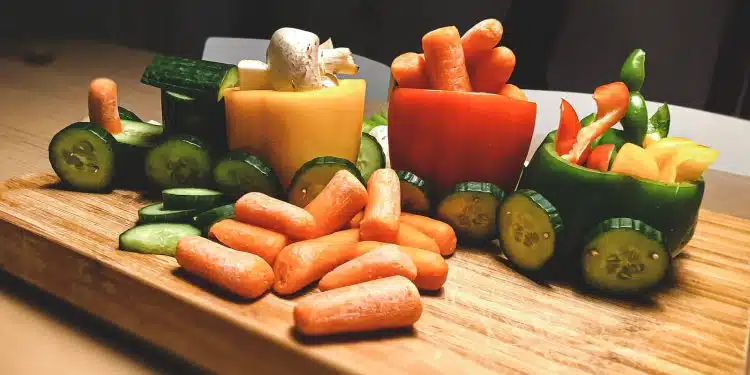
(380,222)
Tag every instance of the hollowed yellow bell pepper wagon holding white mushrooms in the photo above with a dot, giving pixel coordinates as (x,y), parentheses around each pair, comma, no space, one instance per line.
(286,129)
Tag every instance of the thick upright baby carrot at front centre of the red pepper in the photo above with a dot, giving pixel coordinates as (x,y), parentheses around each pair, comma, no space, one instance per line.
(446,68)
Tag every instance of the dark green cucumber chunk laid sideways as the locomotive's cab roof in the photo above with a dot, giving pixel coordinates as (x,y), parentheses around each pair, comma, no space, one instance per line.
(194,78)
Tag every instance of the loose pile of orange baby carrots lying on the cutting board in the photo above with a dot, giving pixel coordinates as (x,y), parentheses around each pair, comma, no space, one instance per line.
(370,258)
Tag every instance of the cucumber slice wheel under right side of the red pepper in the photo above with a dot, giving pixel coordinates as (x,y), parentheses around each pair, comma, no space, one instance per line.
(471,209)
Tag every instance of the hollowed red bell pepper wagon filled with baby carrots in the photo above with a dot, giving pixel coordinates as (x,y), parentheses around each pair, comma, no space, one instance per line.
(449,137)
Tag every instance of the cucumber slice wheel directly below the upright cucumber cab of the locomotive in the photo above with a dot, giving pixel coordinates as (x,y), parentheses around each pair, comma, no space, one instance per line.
(181,161)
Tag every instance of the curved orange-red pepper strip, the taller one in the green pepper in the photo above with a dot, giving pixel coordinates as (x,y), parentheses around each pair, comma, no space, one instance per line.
(611,105)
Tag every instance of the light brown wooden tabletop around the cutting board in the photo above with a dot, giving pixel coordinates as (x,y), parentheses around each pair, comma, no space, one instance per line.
(35,102)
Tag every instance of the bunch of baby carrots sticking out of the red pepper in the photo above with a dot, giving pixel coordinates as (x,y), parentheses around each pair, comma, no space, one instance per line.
(454,62)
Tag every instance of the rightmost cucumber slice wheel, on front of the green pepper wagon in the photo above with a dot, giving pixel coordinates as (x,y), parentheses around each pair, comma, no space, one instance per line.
(624,255)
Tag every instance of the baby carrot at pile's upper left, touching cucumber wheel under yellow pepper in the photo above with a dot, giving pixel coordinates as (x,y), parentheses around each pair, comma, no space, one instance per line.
(276,215)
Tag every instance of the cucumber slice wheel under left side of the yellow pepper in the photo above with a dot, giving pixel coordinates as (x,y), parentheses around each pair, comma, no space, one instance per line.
(239,173)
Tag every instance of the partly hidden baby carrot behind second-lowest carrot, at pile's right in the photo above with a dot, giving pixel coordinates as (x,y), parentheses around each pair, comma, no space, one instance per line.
(432,269)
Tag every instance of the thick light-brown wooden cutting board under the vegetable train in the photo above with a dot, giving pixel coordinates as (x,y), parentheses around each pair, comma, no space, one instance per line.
(486,319)
